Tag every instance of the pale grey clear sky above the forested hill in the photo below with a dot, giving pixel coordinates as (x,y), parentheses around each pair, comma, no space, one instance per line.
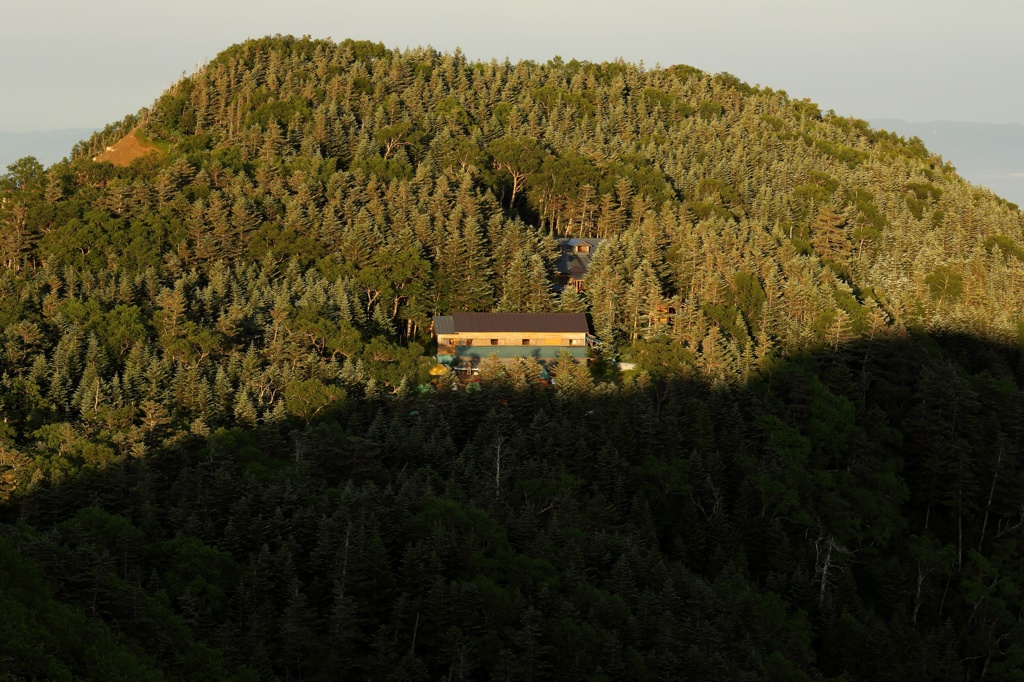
(73,64)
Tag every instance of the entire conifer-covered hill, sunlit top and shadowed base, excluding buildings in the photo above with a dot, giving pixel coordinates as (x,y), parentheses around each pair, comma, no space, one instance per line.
(222,454)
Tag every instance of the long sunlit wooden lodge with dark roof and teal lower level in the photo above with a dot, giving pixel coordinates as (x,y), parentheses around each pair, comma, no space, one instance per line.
(466,338)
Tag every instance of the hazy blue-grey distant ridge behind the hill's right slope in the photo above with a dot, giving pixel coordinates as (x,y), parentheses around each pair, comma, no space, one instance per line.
(989,154)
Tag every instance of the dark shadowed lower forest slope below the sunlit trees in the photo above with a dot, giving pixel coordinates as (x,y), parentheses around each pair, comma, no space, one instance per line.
(850,511)
